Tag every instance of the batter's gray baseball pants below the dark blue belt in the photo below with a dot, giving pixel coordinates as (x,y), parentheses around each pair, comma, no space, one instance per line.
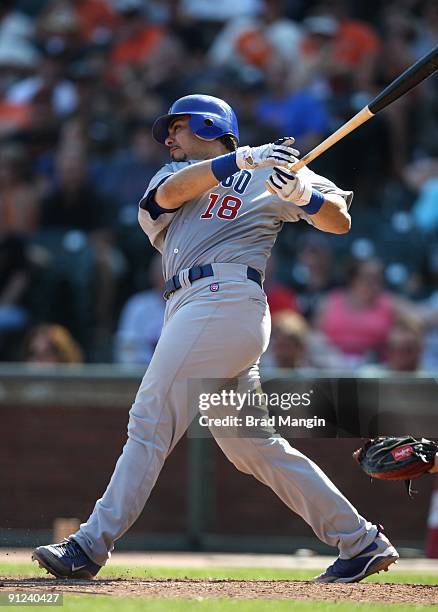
(214,334)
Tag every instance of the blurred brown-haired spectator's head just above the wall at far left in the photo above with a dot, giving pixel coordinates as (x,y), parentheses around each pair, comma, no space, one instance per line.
(50,344)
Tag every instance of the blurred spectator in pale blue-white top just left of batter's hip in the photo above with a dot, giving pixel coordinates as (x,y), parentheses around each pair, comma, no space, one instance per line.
(141,320)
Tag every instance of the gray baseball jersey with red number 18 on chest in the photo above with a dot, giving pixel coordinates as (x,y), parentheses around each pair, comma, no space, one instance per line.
(237,221)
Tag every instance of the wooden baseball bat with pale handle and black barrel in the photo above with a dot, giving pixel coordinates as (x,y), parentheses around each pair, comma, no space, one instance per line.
(411,77)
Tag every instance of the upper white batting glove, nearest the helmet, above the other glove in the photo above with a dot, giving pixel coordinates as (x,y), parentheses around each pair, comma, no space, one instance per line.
(279,153)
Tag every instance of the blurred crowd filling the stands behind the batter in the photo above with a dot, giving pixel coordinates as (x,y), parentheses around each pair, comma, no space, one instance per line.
(81,82)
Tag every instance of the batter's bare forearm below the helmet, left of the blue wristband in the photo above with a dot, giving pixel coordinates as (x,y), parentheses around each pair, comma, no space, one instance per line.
(185,185)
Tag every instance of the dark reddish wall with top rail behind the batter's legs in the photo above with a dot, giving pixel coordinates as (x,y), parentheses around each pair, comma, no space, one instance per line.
(63,428)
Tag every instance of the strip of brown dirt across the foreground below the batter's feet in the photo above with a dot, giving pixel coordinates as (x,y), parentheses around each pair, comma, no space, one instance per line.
(239,589)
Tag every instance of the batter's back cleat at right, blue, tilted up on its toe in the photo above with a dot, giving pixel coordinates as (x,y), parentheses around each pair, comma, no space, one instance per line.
(373,559)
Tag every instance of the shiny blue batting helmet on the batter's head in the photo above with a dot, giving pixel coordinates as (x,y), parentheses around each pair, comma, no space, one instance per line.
(210,118)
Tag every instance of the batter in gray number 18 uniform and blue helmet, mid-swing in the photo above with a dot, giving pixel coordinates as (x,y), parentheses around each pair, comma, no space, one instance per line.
(211,216)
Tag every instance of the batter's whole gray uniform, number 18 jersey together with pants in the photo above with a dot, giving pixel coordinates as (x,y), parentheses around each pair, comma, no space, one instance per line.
(217,331)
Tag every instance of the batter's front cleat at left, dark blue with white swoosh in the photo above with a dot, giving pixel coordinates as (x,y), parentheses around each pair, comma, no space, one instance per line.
(65,560)
